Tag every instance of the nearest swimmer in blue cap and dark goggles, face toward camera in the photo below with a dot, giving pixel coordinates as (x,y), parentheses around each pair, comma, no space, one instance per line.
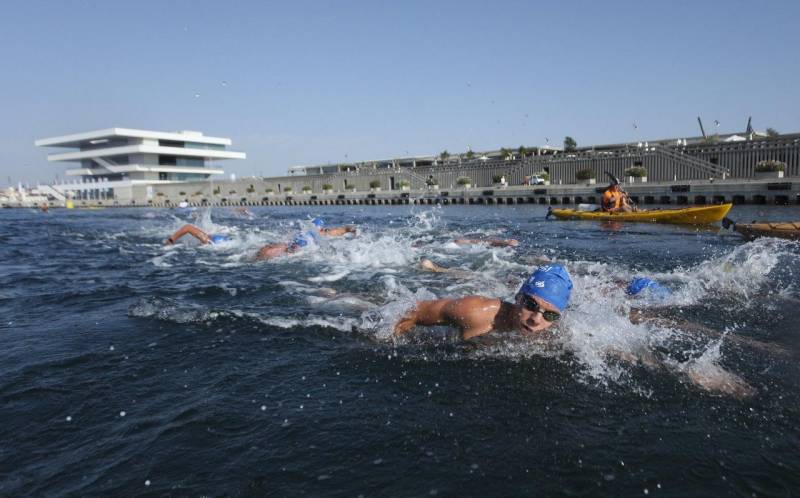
(538,304)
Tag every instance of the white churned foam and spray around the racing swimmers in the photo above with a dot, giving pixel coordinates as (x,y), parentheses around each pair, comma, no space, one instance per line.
(597,332)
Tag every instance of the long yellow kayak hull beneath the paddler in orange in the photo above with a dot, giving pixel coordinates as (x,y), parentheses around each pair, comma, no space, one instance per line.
(695,215)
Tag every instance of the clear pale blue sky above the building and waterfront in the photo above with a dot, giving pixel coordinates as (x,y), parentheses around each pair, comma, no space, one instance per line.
(303,83)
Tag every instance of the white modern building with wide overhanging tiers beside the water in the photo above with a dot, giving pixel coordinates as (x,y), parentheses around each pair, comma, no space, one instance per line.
(122,164)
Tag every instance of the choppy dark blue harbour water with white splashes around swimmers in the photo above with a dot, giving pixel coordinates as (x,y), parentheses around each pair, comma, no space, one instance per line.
(131,368)
